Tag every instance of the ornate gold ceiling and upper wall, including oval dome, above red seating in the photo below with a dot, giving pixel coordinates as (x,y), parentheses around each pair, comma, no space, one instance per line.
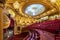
(27,12)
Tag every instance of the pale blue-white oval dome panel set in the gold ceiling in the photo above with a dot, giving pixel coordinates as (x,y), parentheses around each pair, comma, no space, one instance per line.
(34,9)
